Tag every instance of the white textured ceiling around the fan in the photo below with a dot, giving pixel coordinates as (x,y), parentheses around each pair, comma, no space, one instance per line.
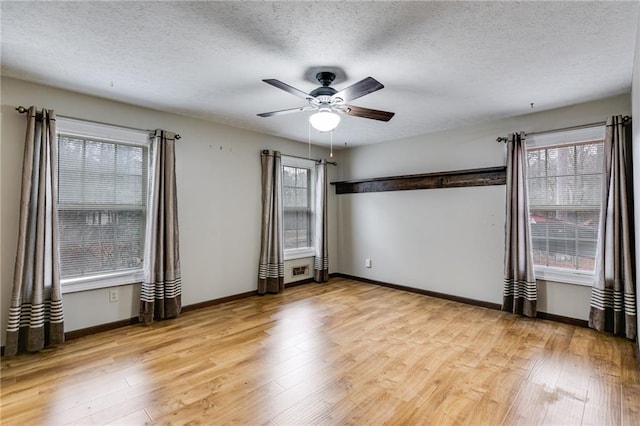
(443,64)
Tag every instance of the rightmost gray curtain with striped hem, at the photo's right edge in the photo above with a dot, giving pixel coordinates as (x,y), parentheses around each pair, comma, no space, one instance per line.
(613,295)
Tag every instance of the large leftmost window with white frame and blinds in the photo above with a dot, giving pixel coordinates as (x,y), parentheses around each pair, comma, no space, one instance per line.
(102,200)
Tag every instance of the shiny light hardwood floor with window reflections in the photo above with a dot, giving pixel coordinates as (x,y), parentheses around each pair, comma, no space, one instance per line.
(338,353)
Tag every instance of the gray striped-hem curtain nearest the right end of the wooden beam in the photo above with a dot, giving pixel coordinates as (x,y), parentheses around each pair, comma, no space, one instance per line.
(520,292)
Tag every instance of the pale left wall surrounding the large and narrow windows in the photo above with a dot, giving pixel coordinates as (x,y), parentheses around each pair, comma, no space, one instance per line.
(218,175)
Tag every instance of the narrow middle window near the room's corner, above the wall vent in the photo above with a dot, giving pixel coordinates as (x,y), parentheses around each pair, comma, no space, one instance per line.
(297,183)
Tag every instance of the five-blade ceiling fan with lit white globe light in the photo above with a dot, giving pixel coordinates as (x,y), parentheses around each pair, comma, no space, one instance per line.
(328,101)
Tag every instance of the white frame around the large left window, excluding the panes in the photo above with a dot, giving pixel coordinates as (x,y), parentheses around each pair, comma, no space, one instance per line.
(123,136)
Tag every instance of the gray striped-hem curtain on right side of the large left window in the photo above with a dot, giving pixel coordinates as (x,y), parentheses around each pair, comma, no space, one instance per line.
(161,292)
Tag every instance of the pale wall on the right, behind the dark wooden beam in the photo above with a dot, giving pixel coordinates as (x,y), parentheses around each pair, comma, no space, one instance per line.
(448,240)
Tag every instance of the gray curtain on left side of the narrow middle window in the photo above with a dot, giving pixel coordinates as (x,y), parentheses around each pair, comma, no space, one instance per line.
(271,263)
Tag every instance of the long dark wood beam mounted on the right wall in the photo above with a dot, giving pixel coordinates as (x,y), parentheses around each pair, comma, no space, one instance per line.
(454,179)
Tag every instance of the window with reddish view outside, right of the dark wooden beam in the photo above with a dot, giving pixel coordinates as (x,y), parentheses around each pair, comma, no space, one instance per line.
(565,191)
